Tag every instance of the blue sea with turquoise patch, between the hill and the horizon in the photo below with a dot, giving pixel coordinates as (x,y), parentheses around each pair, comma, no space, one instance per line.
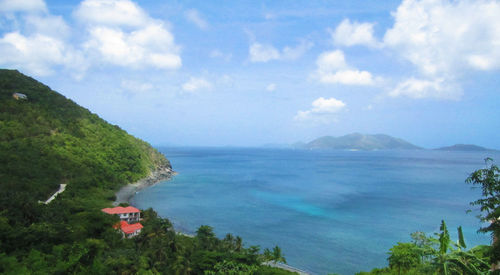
(330,211)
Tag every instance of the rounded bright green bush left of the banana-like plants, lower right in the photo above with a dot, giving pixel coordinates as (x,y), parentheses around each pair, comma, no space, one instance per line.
(404,256)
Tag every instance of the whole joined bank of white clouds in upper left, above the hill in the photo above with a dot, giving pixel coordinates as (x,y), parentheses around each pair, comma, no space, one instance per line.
(118,32)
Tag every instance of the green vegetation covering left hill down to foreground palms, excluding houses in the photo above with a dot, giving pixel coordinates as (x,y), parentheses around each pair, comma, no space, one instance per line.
(47,140)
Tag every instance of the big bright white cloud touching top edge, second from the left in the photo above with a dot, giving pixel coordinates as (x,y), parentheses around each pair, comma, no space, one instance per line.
(121,33)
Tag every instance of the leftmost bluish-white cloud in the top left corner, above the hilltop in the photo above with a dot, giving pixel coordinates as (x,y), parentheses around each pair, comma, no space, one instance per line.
(38,44)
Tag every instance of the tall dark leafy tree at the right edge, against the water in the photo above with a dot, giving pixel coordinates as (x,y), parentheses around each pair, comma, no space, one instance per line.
(488,179)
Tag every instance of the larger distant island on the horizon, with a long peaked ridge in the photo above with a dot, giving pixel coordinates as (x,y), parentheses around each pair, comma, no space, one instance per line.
(357,141)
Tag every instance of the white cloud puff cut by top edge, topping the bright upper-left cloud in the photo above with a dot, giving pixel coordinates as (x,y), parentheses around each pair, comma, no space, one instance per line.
(111,13)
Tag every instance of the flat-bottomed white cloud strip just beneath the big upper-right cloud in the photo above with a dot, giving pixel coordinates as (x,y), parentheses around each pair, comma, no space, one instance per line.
(422,88)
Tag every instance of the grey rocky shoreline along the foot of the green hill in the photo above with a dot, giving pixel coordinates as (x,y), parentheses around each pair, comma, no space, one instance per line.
(162,173)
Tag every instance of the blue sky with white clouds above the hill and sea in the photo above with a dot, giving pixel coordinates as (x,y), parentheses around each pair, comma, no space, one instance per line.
(249,73)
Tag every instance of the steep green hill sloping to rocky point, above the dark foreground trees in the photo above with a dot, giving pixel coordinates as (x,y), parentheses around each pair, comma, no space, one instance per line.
(48,139)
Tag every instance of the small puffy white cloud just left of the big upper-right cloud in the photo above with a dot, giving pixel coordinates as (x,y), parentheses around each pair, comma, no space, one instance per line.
(350,34)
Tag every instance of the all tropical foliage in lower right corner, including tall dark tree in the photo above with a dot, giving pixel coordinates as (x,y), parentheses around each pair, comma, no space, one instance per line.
(438,254)
